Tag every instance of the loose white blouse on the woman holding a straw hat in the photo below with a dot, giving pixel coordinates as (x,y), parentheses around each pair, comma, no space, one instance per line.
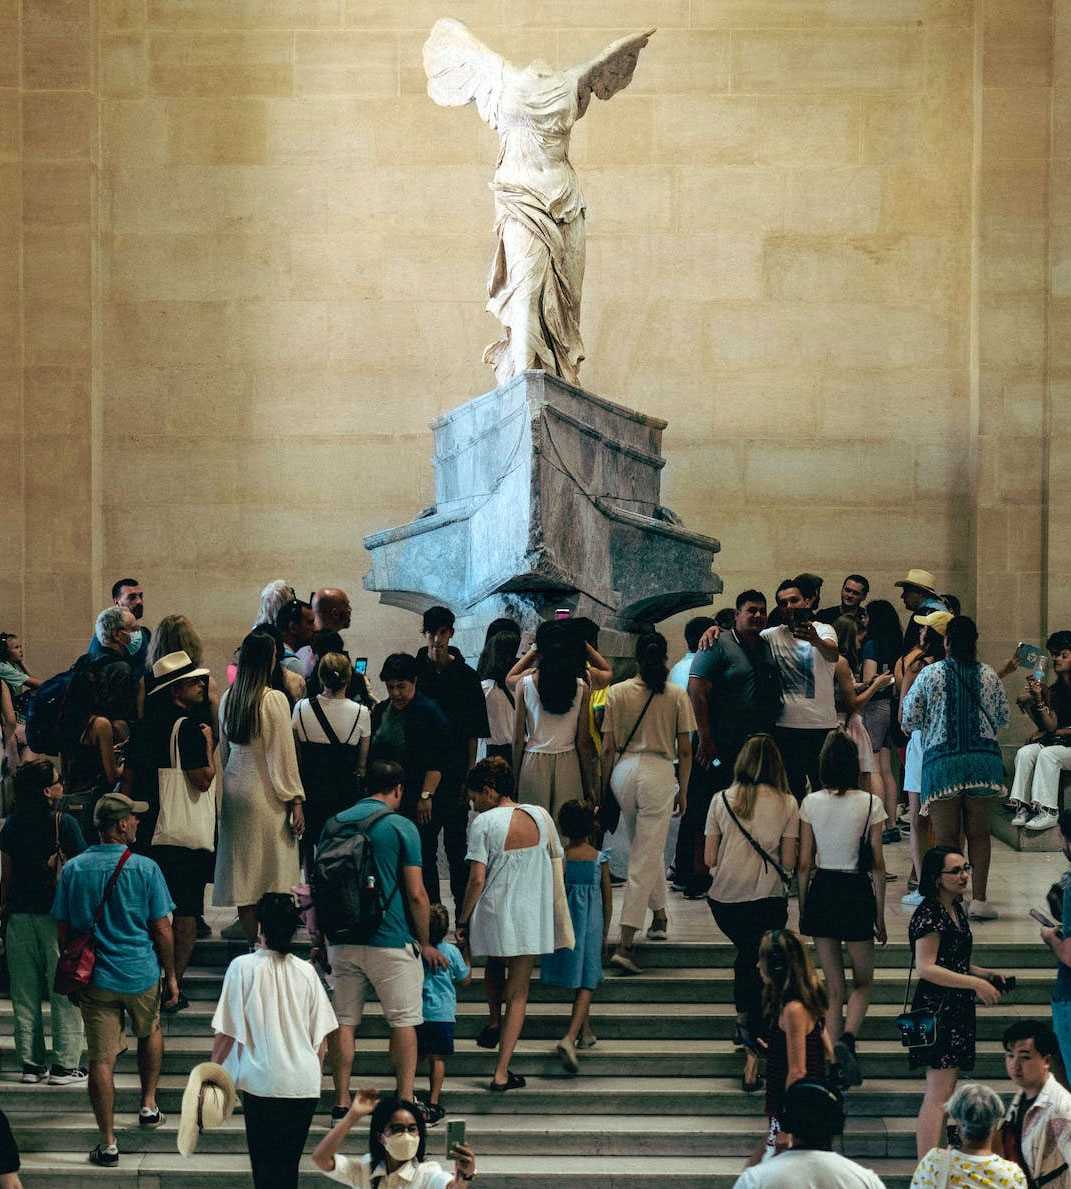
(278,1012)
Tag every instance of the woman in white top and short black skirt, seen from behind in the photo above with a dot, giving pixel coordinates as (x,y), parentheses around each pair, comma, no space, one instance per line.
(843,890)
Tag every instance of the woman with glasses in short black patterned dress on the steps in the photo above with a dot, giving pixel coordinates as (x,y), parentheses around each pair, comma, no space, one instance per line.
(941,939)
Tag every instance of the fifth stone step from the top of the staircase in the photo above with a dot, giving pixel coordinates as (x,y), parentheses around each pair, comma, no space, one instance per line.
(618,1096)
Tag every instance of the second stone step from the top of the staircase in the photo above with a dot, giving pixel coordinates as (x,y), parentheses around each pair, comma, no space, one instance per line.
(689,985)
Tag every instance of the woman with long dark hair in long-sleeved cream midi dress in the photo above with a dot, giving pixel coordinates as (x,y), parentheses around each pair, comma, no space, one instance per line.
(262,816)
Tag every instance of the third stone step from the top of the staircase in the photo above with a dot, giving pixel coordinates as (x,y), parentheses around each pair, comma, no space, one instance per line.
(613,1022)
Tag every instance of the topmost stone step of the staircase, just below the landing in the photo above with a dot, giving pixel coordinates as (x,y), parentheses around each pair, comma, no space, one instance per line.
(217,952)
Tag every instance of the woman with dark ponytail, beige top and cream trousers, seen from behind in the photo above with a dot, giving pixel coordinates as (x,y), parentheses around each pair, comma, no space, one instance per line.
(647,729)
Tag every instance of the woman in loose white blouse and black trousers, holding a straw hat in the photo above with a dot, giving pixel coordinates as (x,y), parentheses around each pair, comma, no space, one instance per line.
(272,1029)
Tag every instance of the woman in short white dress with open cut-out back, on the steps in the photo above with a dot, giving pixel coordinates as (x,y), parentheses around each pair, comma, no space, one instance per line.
(509,903)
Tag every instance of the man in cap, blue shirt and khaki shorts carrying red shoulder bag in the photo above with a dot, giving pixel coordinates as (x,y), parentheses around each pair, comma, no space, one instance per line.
(134,946)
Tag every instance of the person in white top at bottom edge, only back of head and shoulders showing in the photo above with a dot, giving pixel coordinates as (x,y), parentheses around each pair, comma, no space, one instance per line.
(811,1116)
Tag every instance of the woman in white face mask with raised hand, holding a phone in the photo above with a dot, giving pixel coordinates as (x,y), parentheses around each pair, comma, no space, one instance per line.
(398,1138)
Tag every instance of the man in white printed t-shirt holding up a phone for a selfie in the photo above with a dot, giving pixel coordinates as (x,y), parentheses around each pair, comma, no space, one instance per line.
(807,655)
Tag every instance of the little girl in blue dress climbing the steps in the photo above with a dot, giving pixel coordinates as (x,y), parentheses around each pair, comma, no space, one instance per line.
(588,891)
